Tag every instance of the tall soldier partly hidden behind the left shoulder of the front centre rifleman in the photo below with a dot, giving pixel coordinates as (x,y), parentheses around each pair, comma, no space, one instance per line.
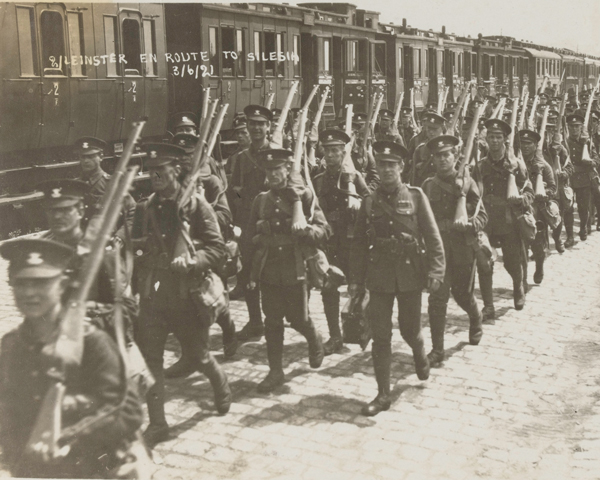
(247,181)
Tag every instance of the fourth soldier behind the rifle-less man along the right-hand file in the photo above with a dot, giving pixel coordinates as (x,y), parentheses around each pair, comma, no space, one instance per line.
(554,151)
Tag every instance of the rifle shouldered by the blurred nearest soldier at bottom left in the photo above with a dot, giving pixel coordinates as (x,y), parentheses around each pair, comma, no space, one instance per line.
(67,351)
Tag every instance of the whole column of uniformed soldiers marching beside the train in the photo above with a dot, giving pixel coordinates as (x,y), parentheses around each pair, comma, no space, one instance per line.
(384,215)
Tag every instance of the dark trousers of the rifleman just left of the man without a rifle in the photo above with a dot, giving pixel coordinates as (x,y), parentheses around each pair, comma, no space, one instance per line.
(289,302)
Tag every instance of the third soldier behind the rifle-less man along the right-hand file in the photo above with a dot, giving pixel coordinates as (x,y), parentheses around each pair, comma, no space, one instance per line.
(536,167)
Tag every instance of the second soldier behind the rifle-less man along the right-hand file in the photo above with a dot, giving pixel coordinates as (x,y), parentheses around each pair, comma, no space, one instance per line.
(502,227)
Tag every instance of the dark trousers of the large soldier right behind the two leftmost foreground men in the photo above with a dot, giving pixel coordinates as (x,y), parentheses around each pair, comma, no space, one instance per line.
(155,324)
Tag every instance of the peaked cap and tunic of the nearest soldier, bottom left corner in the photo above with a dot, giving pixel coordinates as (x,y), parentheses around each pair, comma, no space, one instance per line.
(95,386)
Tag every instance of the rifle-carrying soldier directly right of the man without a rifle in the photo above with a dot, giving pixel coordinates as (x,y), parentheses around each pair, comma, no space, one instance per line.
(443,191)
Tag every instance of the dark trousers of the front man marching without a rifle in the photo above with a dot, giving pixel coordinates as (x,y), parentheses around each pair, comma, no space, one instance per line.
(379,313)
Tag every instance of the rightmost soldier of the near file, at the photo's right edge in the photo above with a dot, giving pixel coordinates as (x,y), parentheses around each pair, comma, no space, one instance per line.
(585,169)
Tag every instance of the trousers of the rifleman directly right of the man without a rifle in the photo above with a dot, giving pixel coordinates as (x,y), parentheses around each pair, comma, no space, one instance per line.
(458,280)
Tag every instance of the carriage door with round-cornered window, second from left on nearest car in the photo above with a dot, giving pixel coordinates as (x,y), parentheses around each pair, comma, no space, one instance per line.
(129,59)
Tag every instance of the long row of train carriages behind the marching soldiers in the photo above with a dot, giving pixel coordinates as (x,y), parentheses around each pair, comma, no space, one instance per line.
(91,69)
